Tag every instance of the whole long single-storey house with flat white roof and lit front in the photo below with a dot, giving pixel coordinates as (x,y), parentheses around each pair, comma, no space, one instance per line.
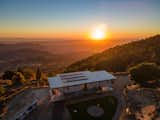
(76,83)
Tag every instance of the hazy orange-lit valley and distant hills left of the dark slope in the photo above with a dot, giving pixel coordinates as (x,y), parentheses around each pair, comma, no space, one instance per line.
(53,55)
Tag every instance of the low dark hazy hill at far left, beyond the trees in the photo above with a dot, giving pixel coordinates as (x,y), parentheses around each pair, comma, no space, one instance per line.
(12,56)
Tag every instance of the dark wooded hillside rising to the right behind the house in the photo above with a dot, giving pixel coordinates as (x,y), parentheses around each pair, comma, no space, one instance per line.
(120,58)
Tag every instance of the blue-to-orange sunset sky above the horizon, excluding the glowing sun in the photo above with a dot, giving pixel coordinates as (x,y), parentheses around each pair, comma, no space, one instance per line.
(74,19)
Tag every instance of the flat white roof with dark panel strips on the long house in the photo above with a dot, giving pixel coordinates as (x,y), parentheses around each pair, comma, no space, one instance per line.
(77,78)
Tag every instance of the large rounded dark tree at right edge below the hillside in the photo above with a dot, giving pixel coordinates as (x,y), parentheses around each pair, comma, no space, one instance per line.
(144,73)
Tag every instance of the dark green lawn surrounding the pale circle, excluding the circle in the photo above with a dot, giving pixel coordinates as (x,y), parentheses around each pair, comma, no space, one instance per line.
(108,104)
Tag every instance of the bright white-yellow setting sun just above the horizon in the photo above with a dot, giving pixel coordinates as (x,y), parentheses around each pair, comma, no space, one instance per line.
(99,33)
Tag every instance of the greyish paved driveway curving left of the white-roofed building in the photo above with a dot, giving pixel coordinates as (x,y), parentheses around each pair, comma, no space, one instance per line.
(22,100)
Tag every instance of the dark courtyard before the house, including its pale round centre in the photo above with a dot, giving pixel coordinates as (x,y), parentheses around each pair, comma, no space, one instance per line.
(102,108)
